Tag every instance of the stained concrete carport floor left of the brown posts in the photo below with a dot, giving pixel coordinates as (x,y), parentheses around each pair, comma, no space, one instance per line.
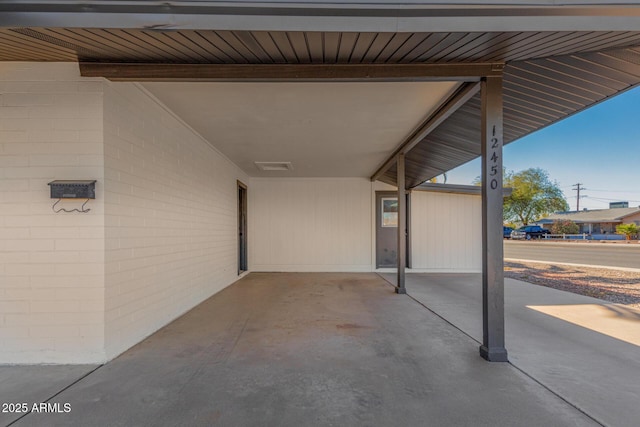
(286,349)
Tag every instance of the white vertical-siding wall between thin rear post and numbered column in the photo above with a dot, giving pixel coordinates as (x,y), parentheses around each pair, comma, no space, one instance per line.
(446,232)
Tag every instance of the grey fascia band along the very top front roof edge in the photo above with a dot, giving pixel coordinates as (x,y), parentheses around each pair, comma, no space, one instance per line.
(326,15)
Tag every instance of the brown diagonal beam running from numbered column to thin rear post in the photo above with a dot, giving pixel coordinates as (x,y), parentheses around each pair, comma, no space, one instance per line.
(450,106)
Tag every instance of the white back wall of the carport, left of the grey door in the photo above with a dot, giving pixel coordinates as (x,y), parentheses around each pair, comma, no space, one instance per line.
(321,224)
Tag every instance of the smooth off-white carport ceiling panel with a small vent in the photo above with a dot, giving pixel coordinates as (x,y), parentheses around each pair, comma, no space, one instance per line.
(323,129)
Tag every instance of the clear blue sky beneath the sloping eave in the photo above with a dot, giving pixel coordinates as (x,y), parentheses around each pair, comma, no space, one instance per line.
(599,148)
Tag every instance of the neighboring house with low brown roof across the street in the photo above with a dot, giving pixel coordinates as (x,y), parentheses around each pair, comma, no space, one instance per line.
(598,221)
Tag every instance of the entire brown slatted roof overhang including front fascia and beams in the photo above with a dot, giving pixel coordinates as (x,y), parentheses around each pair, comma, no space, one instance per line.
(561,56)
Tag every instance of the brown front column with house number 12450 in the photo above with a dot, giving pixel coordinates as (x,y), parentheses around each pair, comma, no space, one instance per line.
(493,348)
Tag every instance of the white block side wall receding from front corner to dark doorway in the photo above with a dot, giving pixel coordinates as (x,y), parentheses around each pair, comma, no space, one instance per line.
(171,217)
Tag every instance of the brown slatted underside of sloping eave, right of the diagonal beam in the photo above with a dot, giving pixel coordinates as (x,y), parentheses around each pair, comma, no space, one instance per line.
(537,94)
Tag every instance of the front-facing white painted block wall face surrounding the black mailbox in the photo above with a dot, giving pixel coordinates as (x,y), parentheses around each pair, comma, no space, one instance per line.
(51,264)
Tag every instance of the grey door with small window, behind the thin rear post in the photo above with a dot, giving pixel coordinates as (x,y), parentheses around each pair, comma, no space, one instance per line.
(387,229)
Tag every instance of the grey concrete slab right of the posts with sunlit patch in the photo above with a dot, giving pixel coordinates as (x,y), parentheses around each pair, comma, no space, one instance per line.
(584,349)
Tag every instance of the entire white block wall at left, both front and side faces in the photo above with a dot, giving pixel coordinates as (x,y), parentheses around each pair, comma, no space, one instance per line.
(161,235)
